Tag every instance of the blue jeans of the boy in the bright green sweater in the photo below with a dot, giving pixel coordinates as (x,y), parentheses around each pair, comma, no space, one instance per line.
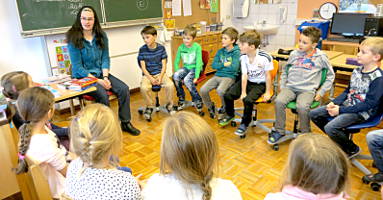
(187,76)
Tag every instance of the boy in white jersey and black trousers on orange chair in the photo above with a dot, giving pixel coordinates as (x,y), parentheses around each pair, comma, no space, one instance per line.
(256,66)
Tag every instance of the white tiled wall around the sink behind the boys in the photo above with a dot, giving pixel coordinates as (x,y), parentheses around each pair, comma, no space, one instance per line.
(269,12)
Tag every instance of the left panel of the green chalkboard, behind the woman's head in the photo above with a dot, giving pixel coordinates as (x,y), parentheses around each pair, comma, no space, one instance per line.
(50,14)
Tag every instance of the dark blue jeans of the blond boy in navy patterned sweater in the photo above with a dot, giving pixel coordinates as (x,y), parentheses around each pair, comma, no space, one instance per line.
(334,127)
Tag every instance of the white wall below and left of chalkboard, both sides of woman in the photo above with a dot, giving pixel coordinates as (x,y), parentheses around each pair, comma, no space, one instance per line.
(31,55)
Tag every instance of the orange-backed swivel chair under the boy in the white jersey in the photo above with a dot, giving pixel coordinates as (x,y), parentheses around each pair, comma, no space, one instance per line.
(259,122)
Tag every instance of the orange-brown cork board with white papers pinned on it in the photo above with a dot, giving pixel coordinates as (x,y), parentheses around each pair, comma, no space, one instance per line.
(198,15)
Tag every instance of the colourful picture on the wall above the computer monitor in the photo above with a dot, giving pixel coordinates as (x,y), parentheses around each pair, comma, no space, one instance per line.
(363,6)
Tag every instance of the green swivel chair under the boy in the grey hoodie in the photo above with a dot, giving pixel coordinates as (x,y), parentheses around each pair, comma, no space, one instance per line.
(292,105)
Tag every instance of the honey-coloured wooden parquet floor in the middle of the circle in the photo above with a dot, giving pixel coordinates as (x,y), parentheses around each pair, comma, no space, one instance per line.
(250,163)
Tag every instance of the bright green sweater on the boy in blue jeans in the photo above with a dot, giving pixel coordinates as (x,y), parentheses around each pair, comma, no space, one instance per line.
(191,58)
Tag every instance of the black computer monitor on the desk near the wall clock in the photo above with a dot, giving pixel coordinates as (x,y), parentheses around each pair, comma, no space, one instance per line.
(348,24)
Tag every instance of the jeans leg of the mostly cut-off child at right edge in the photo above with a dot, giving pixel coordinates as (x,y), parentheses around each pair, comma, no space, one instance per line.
(375,145)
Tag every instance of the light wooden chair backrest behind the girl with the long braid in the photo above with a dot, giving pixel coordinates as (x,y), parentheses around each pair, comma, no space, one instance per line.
(37,182)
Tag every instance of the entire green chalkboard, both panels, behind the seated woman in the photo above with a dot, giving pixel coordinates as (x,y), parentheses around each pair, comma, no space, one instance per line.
(44,17)
